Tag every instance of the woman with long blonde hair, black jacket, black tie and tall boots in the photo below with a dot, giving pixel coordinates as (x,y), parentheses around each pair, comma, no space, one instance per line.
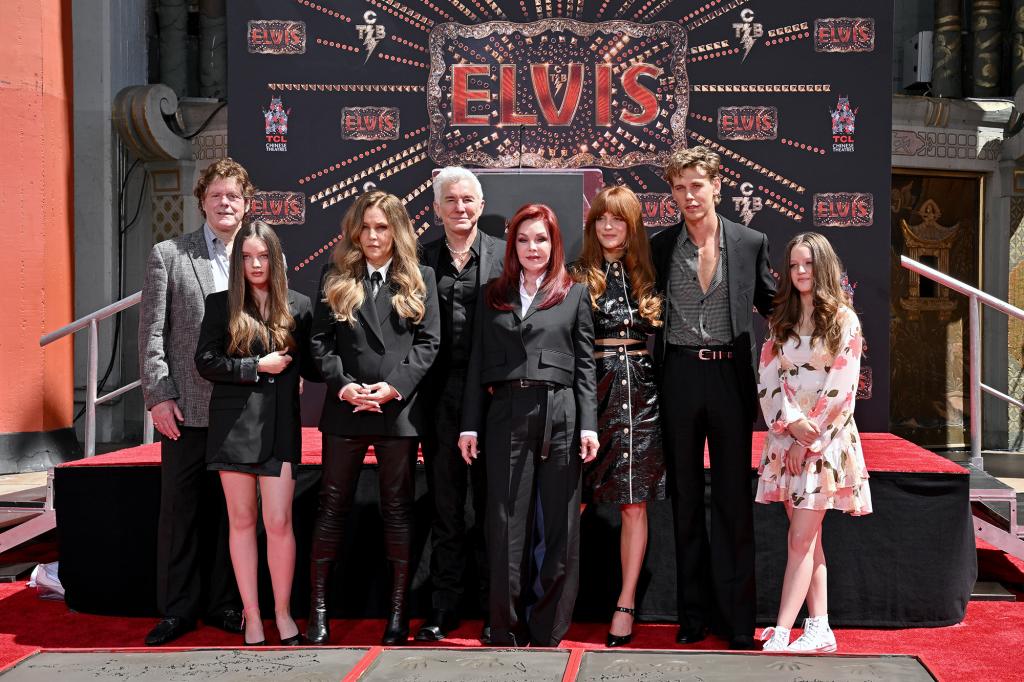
(376,332)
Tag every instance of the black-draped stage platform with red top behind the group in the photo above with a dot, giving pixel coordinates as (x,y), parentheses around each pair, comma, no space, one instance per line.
(912,564)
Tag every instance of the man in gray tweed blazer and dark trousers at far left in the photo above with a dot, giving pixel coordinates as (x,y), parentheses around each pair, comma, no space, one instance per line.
(180,274)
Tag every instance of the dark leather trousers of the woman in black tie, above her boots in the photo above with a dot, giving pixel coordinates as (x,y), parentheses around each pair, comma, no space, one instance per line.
(343,465)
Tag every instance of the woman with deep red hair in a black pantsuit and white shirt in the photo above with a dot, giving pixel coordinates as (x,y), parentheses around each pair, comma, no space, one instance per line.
(534,353)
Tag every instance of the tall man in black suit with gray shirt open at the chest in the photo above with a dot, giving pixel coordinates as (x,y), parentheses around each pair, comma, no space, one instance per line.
(713,274)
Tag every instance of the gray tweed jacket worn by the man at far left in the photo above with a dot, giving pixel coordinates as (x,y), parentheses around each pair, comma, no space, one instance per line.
(179,278)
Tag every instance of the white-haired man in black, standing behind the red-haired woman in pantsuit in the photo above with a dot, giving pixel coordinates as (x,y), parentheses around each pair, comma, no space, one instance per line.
(463,261)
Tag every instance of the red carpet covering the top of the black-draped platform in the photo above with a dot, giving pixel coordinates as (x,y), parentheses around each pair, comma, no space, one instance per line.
(883,452)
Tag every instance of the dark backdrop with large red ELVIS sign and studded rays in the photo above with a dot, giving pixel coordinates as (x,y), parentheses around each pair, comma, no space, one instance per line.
(333,98)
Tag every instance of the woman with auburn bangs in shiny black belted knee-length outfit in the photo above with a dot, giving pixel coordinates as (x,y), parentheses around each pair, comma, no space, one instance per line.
(630,468)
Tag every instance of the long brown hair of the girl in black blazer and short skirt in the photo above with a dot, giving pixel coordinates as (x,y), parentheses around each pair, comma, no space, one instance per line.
(246,324)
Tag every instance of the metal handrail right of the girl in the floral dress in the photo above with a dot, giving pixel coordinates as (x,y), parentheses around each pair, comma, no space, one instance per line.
(976,296)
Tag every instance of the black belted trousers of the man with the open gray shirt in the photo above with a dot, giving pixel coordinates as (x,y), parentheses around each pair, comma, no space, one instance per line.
(705,401)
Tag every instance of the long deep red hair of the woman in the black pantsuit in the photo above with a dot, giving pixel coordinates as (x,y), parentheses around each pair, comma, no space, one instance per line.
(557,280)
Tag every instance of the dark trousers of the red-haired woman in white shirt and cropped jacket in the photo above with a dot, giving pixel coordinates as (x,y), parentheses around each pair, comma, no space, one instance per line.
(533,516)
